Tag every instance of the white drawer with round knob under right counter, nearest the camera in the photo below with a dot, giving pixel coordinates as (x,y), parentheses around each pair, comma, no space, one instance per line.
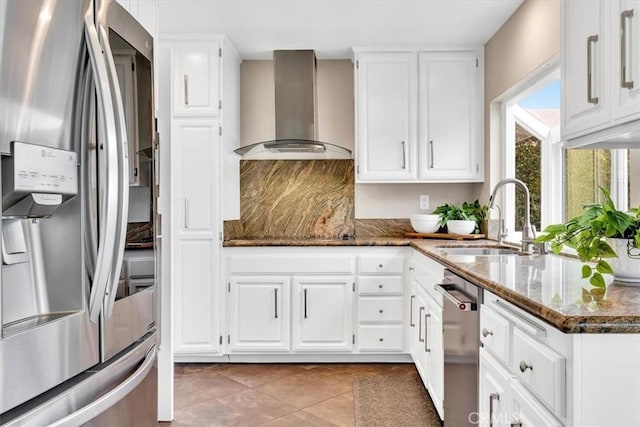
(541,368)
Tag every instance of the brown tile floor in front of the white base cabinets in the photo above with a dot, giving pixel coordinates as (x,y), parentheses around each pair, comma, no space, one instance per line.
(269,394)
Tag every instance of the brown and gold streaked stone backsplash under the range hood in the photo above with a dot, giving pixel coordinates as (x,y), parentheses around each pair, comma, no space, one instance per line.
(295,199)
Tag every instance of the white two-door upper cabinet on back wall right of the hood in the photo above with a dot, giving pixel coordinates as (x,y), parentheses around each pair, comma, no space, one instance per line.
(417,113)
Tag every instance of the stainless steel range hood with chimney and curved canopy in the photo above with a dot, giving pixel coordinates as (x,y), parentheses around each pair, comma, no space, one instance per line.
(295,112)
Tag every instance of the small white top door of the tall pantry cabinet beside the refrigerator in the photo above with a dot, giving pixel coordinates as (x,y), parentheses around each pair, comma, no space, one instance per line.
(196,79)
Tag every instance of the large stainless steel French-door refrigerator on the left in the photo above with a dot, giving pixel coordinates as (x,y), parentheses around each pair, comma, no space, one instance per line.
(77,132)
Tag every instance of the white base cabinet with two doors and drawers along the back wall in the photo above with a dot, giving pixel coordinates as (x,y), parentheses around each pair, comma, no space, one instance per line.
(310,300)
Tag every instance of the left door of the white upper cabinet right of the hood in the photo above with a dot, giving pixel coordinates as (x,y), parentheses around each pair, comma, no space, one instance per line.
(385,128)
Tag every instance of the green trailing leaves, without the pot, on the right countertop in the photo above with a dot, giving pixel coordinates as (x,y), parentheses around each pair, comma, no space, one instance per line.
(586,233)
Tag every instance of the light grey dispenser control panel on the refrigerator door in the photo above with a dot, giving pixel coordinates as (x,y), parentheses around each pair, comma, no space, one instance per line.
(38,169)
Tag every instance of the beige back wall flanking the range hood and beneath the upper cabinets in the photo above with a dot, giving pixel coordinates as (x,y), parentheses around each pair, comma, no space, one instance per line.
(336,125)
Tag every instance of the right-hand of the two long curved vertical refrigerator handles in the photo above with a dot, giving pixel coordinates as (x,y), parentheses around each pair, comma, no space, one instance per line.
(122,200)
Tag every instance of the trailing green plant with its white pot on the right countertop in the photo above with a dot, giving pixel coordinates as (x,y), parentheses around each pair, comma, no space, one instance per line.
(599,233)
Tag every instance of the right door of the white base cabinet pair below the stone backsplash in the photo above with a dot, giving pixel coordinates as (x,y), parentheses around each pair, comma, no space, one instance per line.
(323,313)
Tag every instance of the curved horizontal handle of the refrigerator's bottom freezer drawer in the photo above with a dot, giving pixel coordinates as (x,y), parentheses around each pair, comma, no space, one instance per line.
(95,408)
